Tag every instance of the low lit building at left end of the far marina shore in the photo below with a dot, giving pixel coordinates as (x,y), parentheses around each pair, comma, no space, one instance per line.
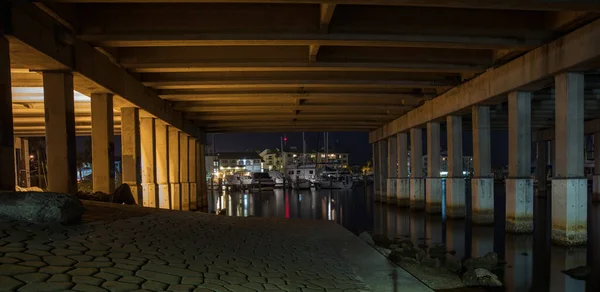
(232,162)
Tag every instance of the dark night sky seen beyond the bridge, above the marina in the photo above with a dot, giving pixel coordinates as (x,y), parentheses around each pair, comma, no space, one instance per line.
(354,143)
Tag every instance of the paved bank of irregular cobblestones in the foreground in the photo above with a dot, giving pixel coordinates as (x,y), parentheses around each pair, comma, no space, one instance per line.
(125,248)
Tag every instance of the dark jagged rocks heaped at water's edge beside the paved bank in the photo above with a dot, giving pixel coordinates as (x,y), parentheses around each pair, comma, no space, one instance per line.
(473,272)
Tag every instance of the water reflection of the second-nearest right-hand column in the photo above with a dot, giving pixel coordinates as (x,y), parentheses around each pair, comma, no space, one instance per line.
(519,270)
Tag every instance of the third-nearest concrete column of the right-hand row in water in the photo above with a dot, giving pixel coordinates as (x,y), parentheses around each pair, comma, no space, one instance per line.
(482,184)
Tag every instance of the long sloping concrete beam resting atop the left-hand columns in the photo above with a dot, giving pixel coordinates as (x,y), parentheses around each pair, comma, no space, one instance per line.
(30,27)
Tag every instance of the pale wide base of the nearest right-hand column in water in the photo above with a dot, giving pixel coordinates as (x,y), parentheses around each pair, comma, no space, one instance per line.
(569,211)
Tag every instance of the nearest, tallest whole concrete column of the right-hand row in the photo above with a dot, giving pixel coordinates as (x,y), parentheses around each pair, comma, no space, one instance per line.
(569,186)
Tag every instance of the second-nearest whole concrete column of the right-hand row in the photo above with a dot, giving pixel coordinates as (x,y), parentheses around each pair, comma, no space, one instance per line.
(519,185)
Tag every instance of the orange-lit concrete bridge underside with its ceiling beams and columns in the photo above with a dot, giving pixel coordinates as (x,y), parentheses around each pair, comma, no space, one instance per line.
(392,67)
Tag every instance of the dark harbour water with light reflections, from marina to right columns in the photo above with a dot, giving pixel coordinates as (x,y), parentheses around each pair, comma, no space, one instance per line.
(532,263)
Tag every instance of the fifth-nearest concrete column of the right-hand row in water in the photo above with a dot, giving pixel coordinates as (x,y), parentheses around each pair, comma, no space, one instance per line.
(433,198)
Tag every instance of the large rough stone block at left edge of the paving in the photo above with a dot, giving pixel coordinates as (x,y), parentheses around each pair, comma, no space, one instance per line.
(41,207)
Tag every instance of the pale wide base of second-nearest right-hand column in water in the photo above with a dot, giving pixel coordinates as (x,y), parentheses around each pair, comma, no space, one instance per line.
(519,205)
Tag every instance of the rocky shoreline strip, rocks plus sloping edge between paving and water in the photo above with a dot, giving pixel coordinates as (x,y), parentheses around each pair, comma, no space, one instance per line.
(432,266)
